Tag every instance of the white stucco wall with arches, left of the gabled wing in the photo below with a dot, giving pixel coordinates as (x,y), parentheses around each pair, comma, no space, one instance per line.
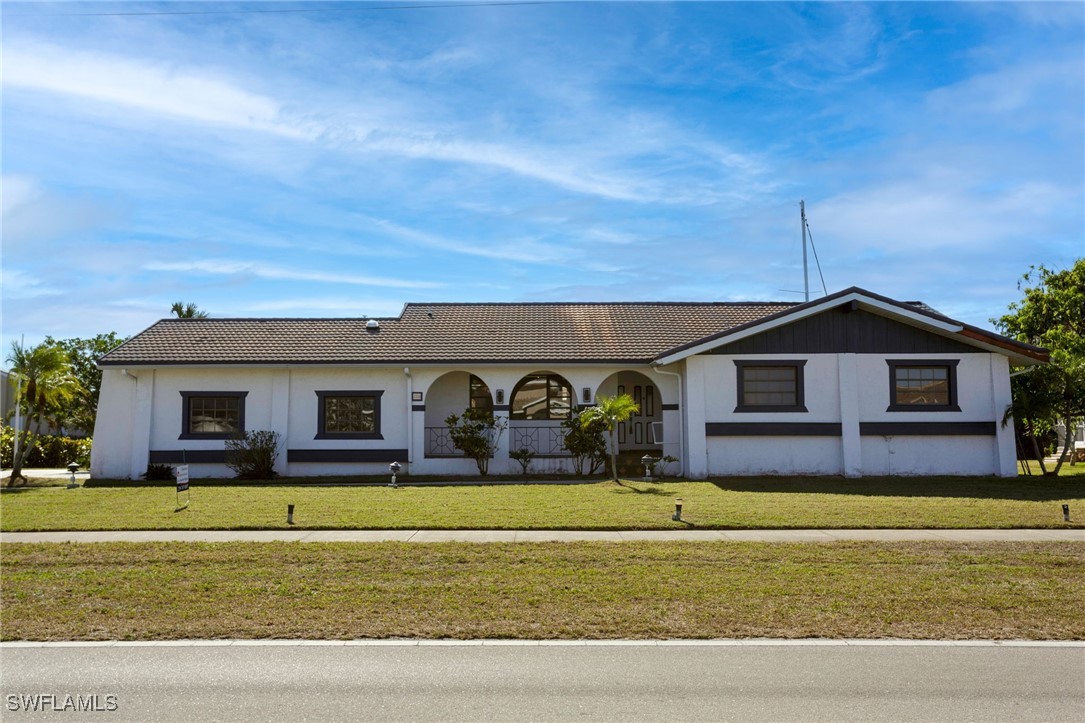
(144,413)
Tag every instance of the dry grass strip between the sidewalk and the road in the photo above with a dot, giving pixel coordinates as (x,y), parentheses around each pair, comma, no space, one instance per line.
(160,591)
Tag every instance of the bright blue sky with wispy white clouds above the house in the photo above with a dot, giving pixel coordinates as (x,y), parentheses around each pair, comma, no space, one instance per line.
(343,163)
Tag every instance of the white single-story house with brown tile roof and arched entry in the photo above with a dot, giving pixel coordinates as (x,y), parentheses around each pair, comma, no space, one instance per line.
(853,385)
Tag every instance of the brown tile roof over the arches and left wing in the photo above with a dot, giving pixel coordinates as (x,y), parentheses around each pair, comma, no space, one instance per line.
(628,333)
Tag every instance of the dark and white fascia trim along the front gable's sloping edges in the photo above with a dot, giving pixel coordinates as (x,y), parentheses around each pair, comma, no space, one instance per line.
(969,333)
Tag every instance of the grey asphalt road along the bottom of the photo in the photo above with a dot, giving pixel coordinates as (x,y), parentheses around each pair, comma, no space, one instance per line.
(554,683)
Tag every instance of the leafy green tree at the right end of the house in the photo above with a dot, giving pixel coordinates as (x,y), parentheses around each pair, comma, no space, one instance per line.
(1052,315)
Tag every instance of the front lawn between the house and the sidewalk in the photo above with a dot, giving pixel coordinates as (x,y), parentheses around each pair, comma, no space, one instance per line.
(734,503)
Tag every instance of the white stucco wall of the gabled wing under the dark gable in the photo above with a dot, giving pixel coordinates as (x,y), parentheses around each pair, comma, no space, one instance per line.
(850,390)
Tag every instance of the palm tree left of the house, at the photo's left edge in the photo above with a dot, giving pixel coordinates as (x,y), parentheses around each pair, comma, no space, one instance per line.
(44,382)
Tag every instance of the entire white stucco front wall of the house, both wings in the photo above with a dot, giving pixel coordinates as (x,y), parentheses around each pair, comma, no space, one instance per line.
(144,412)
